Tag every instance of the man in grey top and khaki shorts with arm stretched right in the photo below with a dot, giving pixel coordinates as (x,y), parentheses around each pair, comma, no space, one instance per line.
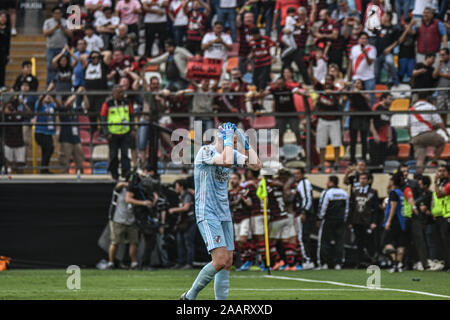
(122,223)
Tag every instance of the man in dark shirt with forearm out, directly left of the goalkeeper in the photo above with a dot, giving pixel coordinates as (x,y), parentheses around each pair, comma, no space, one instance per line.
(185,226)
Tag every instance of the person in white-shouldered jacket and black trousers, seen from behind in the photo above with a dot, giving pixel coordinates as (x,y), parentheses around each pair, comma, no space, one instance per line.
(333,211)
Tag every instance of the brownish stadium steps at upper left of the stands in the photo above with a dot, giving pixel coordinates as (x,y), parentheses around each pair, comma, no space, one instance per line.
(24,47)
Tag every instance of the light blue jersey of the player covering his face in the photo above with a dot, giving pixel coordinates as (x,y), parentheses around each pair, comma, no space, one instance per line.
(211,185)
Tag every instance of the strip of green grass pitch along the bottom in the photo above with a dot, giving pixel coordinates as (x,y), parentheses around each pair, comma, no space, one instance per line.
(169,284)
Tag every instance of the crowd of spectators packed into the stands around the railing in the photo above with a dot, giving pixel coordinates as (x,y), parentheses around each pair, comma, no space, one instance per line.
(283,48)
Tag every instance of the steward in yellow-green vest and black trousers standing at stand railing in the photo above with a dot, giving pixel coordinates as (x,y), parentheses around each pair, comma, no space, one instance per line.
(117,111)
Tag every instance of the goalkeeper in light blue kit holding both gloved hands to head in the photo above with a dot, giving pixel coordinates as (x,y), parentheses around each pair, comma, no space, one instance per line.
(211,174)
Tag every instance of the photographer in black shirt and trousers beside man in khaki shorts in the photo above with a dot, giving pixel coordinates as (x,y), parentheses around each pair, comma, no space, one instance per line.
(141,195)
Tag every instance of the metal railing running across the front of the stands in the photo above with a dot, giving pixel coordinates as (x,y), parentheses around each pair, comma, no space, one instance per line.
(307,115)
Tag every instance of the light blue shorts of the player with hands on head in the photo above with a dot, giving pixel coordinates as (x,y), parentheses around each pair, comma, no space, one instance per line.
(217,234)
